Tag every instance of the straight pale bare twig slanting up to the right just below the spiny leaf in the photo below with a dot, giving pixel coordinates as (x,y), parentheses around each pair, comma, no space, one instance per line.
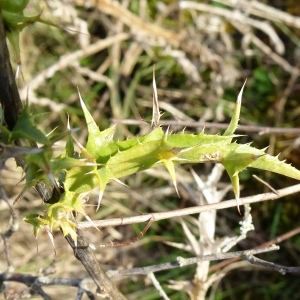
(191,210)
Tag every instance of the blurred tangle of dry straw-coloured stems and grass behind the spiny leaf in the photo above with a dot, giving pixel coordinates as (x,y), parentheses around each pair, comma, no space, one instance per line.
(202,52)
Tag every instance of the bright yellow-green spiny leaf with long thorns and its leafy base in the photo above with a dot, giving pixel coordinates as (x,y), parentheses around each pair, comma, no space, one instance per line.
(102,159)
